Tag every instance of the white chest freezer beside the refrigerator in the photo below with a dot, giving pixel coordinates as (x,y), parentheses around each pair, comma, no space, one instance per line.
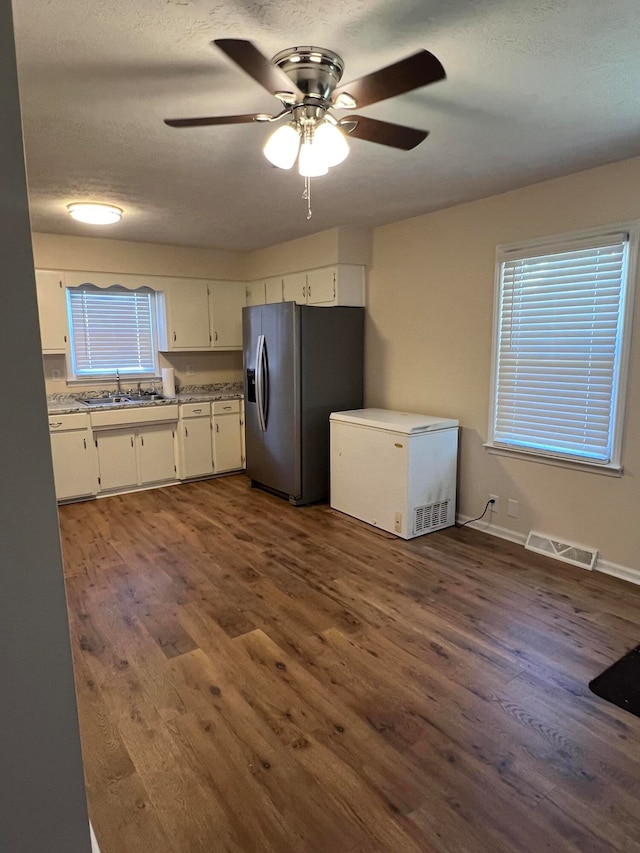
(395,470)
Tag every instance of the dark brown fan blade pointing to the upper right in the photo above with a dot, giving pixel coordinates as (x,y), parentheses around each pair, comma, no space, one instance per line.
(411,73)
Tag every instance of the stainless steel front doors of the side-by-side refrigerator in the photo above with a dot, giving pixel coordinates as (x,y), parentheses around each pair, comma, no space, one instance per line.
(272,421)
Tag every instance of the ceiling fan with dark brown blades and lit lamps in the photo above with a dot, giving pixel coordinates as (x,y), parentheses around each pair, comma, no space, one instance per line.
(305,80)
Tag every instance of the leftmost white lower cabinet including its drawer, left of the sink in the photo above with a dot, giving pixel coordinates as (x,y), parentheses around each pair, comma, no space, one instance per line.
(74,458)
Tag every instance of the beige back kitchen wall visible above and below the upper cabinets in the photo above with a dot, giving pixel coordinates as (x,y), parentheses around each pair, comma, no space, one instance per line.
(96,254)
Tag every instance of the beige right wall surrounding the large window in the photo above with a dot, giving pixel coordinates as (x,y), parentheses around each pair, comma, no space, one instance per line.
(429,332)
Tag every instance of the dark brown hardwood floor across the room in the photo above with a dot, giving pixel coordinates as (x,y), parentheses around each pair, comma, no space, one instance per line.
(257,677)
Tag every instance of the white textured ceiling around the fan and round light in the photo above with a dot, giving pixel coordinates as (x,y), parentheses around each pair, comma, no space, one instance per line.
(535,89)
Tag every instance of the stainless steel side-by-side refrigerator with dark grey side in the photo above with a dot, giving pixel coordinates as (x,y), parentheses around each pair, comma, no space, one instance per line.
(301,362)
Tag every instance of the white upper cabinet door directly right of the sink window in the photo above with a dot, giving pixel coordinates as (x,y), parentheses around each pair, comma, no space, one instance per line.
(183,316)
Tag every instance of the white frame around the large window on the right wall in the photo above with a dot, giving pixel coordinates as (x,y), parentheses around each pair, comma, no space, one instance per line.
(570,241)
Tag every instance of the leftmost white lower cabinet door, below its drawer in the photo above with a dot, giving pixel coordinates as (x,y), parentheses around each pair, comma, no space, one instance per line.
(74,467)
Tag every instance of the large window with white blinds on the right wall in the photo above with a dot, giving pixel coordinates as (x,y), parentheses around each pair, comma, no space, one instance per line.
(560,349)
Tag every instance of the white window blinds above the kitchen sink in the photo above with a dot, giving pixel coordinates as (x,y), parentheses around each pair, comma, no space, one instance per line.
(111,330)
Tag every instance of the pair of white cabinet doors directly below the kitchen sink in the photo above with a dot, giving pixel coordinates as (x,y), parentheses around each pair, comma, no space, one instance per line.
(139,456)
